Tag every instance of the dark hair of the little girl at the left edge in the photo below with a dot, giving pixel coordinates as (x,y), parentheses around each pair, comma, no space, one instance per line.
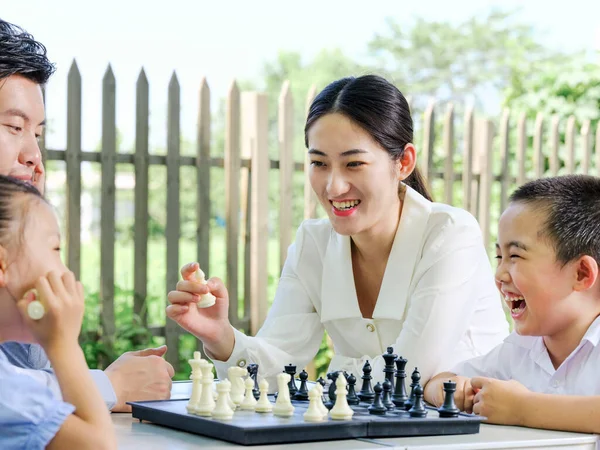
(10,188)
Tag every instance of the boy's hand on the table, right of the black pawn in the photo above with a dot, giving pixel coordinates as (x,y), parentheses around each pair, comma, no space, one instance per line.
(499,401)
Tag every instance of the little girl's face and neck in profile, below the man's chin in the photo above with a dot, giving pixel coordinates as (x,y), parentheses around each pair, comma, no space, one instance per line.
(30,249)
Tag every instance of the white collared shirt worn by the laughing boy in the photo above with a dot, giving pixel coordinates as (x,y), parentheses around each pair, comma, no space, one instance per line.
(526,360)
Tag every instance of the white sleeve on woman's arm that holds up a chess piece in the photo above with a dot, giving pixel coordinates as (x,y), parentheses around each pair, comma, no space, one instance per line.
(292,331)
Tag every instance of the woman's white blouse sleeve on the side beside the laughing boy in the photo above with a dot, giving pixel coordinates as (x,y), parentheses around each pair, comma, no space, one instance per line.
(444,299)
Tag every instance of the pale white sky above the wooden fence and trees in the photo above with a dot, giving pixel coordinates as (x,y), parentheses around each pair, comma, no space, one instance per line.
(229,40)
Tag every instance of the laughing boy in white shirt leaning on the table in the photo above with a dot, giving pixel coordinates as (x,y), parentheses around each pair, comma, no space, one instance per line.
(544,375)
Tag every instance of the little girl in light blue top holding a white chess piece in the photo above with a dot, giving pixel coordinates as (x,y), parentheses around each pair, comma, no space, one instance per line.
(40,301)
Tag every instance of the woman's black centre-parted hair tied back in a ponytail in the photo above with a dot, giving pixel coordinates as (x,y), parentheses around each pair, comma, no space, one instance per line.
(379,108)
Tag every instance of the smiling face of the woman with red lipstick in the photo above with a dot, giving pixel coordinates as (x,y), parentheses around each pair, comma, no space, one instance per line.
(354,178)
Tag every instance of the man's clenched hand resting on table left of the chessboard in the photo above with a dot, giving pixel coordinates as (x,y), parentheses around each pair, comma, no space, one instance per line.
(141,375)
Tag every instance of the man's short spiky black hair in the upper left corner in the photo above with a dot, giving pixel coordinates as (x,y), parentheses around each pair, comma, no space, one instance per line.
(21,54)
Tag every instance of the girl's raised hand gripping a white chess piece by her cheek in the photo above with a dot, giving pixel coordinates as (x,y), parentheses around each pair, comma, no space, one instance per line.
(63,301)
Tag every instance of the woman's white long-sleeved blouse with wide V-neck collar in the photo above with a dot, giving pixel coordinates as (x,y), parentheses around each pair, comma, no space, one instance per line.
(437,306)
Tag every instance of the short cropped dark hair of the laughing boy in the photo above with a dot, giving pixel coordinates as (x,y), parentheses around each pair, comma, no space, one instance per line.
(572,207)
